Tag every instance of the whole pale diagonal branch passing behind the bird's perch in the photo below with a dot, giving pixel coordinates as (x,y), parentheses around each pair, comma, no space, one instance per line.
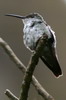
(22,67)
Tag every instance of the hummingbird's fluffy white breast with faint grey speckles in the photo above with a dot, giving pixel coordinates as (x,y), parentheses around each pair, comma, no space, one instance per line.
(32,34)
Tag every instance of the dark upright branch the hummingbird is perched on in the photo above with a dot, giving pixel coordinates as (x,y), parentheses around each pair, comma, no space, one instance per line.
(31,67)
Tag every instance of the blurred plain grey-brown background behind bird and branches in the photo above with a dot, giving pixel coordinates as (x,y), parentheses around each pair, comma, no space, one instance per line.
(11,30)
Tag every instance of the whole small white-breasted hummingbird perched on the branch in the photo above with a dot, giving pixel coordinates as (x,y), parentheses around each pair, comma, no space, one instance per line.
(34,28)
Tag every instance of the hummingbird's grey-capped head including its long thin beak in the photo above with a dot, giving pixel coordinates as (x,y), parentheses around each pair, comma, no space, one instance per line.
(28,18)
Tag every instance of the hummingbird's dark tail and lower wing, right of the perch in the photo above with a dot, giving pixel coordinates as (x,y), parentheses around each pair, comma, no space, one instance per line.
(50,59)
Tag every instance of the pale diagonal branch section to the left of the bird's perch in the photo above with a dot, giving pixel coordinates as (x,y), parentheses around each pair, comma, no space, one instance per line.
(12,55)
